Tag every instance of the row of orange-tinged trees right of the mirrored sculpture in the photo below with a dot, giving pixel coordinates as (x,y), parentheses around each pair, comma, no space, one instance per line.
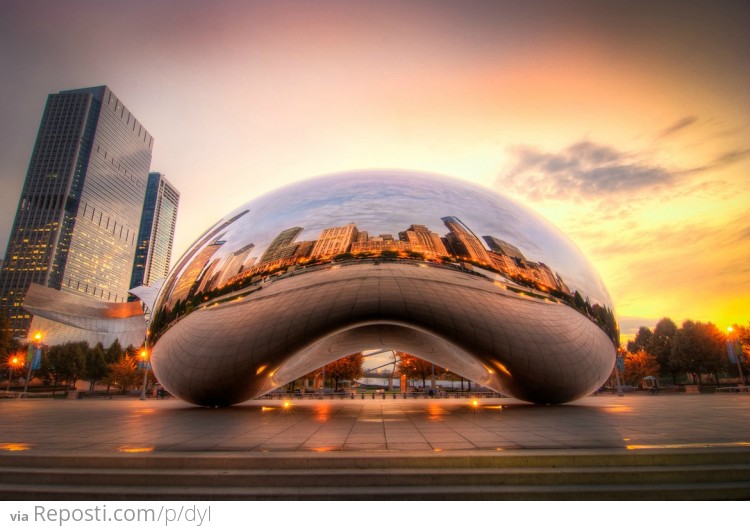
(693,349)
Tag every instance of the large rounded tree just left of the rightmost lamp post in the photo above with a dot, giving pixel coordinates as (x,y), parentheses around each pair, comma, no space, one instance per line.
(699,348)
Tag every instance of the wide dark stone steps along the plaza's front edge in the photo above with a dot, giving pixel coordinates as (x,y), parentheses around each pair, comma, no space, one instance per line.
(660,474)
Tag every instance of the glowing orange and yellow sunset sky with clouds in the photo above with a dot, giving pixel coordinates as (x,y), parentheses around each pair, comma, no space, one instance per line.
(626,124)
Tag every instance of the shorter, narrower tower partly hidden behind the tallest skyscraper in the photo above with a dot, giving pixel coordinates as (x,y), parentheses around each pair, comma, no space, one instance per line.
(156,234)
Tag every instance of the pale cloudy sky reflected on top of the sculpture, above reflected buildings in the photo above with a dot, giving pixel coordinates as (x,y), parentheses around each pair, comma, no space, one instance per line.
(388,201)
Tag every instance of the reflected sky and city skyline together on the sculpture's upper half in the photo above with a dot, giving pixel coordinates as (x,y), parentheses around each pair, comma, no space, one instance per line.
(408,218)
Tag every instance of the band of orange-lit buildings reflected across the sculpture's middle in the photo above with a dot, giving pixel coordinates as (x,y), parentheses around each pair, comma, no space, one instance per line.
(457,246)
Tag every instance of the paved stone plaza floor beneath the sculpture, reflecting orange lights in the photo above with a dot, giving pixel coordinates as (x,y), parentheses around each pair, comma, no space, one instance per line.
(499,424)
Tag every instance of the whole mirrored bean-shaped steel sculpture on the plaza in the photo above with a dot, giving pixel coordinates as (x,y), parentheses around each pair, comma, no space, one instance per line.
(435,267)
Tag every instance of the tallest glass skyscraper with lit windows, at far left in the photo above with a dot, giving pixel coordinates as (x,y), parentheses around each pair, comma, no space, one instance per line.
(80,207)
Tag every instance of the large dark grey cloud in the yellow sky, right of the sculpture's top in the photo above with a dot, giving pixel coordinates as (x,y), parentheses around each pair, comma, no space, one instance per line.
(584,169)
